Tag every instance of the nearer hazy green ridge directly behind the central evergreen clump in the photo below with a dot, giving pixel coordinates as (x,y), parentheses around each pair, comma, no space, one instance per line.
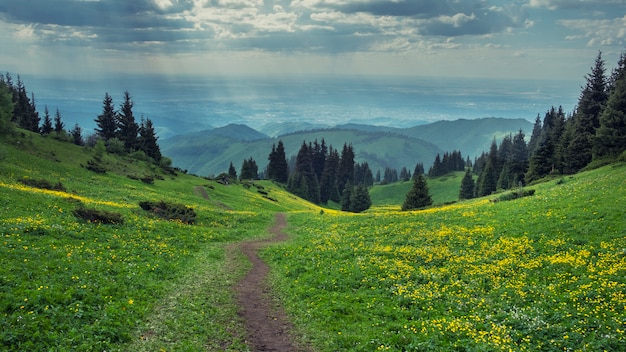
(205,155)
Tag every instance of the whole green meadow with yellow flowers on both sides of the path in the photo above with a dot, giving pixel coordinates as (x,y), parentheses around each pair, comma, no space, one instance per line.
(544,272)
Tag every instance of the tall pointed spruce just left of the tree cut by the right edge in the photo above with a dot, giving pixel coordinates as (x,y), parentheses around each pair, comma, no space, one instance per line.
(587,117)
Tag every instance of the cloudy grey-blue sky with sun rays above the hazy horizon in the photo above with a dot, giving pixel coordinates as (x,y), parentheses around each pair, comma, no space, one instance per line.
(542,39)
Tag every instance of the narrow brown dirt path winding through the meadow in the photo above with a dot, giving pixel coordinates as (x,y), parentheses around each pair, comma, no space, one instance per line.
(267,325)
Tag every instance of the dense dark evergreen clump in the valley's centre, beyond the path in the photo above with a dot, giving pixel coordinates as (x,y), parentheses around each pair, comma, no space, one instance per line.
(321,174)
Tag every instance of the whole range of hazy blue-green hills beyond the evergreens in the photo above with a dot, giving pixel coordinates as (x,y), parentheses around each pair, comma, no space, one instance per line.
(210,152)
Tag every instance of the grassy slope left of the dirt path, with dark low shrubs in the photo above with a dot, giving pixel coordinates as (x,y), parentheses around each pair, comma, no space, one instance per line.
(66,284)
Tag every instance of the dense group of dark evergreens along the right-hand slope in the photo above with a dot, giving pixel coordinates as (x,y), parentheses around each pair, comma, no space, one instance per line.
(595,132)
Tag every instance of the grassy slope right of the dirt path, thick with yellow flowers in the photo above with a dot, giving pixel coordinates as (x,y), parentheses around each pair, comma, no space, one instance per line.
(545,272)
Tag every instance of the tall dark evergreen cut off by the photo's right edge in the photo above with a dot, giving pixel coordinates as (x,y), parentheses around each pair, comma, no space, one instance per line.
(610,138)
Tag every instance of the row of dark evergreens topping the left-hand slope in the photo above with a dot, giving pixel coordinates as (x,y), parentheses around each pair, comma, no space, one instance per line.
(117,129)
